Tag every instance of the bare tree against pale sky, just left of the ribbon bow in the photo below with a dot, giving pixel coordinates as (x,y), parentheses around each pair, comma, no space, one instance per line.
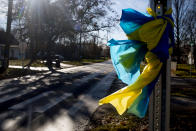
(91,16)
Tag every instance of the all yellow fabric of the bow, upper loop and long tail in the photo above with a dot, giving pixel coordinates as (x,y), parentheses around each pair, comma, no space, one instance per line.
(150,33)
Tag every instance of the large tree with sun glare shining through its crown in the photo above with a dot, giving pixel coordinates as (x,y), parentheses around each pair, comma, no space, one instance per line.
(42,23)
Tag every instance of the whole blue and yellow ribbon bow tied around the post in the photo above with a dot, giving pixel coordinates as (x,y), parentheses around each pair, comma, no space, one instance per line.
(148,36)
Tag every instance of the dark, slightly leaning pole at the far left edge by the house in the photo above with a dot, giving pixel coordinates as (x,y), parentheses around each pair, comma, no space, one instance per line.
(8,30)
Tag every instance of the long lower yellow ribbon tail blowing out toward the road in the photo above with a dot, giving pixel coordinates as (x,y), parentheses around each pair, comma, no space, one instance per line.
(123,98)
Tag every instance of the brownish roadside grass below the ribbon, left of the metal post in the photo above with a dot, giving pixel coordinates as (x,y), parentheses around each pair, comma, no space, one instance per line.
(110,120)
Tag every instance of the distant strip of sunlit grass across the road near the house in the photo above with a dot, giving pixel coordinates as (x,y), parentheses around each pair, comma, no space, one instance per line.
(36,63)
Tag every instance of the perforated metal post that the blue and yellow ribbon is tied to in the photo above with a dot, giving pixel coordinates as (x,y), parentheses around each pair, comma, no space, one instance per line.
(159,106)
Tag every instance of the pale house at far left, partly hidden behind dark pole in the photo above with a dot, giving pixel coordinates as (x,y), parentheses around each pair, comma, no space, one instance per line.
(14,46)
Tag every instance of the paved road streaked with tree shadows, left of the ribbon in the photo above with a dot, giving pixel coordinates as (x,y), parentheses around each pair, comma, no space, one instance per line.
(54,101)
